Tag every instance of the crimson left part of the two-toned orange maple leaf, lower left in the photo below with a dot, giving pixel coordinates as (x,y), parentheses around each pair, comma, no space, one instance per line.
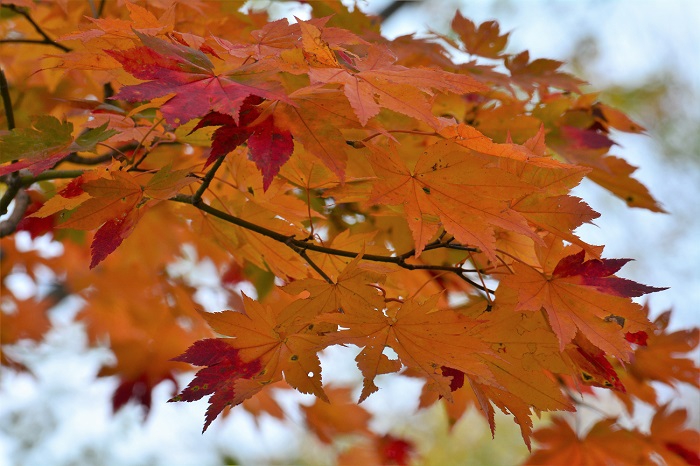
(224,369)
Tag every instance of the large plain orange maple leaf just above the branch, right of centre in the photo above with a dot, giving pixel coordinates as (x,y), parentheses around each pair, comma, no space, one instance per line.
(453,187)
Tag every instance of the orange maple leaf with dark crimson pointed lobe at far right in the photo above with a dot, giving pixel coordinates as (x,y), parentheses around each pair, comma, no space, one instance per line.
(581,295)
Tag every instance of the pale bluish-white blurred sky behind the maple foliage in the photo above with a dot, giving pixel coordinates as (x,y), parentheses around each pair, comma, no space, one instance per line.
(63,416)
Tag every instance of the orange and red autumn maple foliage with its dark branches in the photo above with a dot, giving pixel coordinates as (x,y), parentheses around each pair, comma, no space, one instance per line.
(372,192)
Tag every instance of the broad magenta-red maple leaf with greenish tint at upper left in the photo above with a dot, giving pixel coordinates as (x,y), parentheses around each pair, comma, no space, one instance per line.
(173,68)
